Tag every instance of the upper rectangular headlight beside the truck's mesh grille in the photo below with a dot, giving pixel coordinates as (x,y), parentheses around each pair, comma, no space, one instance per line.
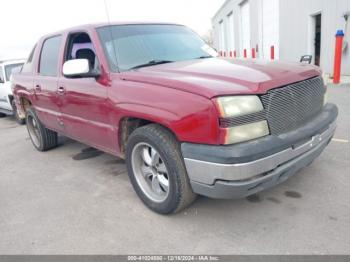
(233,106)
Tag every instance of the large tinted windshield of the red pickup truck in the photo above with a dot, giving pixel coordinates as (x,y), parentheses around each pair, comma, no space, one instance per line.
(132,46)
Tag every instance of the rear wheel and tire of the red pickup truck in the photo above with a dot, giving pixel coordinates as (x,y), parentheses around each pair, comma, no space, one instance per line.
(42,138)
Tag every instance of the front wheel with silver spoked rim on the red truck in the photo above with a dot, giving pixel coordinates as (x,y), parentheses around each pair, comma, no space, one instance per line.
(157,171)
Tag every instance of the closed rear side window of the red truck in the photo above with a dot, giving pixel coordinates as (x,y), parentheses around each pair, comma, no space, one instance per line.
(49,56)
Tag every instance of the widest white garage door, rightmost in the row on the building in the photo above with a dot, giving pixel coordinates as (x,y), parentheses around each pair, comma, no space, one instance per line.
(270,27)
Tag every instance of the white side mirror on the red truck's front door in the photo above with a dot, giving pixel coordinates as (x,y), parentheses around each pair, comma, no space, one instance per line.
(79,68)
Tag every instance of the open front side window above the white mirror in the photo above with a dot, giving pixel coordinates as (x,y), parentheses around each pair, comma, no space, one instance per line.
(79,46)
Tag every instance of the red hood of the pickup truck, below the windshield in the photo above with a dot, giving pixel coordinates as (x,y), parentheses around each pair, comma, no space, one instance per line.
(216,77)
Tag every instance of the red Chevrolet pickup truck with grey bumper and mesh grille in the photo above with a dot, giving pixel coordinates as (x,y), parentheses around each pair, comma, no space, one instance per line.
(185,121)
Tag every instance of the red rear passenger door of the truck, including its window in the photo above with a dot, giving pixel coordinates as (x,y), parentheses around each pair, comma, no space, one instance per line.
(45,99)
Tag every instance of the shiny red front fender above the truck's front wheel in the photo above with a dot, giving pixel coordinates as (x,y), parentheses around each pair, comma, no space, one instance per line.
(192,118)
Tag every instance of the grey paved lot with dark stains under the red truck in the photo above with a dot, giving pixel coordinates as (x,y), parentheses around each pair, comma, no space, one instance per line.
(77,200)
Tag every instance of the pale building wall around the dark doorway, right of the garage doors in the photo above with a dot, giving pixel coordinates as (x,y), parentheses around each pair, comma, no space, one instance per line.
(297,34)
